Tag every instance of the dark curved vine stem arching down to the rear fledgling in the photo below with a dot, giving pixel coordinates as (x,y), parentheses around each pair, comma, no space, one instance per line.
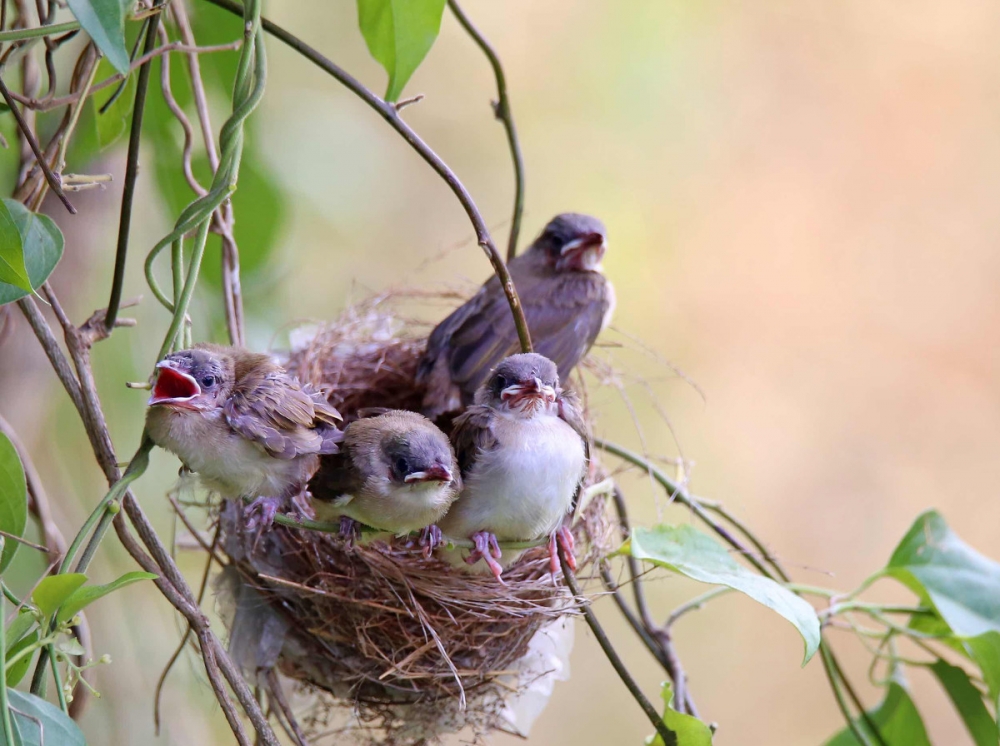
(390,114)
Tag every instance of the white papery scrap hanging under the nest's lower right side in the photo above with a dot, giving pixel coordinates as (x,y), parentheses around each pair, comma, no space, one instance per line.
(545,663)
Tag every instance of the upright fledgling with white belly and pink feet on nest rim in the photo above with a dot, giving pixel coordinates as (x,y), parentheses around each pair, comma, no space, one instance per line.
(522,449)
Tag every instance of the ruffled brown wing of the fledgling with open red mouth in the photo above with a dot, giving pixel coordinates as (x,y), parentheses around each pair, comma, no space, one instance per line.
(286,419)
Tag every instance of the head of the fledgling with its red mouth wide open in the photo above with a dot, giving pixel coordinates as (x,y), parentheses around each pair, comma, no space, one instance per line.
(196,379)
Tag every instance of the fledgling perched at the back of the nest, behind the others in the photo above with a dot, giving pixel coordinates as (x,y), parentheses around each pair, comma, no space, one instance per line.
(567,301)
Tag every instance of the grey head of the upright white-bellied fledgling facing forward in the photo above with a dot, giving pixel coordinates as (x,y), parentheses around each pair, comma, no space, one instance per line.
(522,384)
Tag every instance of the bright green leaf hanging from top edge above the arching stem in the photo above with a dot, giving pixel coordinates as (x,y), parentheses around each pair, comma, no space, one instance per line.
(399,34)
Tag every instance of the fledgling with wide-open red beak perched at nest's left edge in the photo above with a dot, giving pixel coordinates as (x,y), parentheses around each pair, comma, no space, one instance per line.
(244,425)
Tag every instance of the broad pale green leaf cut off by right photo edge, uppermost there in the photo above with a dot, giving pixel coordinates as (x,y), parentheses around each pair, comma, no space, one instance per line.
(959,582)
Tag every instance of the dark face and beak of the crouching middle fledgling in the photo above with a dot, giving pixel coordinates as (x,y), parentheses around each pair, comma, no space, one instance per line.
(420,455)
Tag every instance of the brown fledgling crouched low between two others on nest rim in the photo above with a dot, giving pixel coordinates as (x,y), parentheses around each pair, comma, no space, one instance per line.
(396,472)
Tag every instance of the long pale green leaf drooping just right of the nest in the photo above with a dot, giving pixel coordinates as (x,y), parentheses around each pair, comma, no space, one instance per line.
(685,550)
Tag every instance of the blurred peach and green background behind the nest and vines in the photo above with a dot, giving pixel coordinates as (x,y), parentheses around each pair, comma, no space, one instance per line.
(801,199)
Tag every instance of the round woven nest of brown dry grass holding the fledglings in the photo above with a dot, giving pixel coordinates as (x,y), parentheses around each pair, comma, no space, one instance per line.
(414,647)
